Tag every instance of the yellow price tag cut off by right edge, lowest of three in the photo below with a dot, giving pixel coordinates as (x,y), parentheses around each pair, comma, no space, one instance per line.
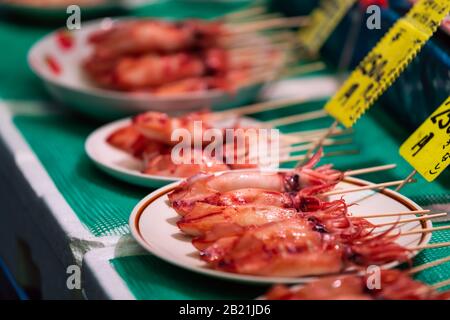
(428,148)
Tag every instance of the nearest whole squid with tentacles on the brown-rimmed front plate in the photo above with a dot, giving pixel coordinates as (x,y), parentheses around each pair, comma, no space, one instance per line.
(293,248)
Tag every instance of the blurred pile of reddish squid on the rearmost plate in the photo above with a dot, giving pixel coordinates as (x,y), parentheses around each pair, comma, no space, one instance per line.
(166,58)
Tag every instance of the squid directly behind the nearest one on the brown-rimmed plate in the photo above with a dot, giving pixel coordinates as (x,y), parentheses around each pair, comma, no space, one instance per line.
(210,221)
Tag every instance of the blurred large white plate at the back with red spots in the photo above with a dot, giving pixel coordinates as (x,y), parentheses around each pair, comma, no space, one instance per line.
(59,67)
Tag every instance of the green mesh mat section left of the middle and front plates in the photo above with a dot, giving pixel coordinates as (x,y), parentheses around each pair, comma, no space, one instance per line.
(102,203)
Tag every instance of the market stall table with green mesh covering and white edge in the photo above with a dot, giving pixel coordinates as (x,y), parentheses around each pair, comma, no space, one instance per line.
(59,210)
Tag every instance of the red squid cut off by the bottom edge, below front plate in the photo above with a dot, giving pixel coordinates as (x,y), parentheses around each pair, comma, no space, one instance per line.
(395,285)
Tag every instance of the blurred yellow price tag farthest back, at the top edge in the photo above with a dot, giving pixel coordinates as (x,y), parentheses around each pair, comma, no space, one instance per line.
(324,20)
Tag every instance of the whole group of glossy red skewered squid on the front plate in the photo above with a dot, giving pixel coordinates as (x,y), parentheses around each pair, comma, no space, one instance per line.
(279,224)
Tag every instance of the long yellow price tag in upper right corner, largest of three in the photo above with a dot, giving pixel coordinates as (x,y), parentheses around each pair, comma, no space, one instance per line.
(387,60)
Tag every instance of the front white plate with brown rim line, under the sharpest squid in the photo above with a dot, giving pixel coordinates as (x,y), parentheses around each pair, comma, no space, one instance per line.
(153,225)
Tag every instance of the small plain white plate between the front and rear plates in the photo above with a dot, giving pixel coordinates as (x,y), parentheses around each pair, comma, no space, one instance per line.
(124,166)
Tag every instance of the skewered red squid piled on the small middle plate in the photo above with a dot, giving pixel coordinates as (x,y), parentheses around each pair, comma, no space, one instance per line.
(157,139)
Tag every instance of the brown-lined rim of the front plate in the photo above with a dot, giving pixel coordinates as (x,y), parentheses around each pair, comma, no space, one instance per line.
(139,209)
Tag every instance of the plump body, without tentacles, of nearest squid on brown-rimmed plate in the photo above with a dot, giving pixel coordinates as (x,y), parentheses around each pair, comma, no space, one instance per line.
(287,248)
